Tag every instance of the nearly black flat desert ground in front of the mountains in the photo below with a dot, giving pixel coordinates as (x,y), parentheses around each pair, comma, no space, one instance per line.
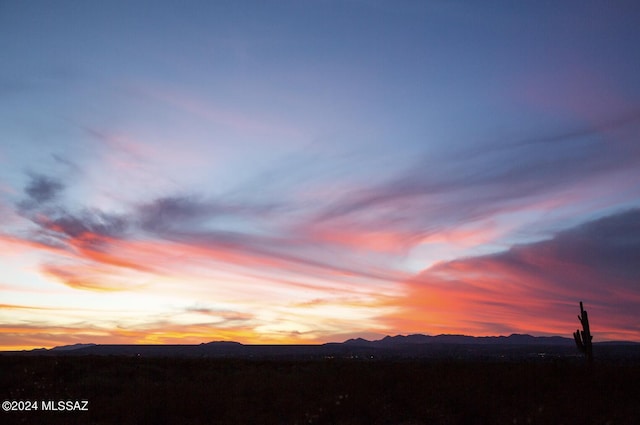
(131,390)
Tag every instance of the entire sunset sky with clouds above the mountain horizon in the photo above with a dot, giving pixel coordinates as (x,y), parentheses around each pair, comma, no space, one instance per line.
(312,171)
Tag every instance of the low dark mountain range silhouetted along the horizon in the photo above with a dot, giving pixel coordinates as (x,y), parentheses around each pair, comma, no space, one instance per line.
(515,346)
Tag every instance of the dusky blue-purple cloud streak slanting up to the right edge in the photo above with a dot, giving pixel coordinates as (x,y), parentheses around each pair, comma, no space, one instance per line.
(474,181)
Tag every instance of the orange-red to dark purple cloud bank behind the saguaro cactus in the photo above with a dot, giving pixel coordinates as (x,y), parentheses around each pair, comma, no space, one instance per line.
(535,287)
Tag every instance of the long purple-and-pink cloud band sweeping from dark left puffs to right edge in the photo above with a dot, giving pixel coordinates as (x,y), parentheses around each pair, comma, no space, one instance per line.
(433,197)
